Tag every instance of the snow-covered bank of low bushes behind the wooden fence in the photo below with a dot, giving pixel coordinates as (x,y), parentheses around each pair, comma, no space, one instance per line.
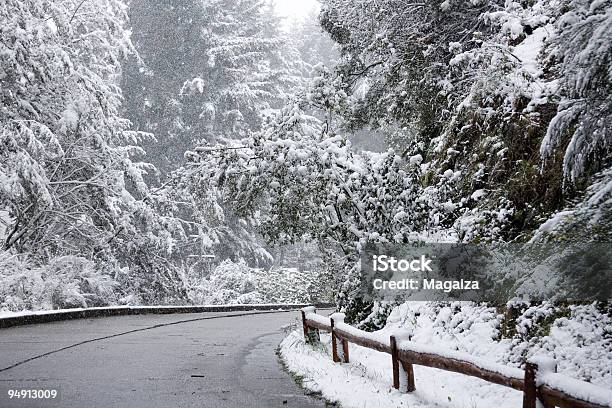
(578,337)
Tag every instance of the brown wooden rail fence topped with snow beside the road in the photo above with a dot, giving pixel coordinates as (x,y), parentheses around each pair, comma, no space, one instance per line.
(539,380)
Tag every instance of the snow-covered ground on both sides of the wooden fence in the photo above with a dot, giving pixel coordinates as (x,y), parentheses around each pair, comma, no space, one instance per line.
(577,338)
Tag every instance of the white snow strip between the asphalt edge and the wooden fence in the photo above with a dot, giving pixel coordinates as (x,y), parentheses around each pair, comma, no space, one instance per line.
(367,380)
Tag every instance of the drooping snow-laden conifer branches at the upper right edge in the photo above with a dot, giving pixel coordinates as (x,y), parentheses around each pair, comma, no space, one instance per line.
(581,54)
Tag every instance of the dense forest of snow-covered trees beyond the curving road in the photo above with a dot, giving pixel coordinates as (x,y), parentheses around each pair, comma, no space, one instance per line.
(154,152)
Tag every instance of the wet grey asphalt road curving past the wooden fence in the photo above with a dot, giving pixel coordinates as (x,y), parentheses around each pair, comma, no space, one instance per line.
(225,359)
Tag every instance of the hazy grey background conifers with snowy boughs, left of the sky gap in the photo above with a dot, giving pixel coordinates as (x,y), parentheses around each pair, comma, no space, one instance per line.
(207,70)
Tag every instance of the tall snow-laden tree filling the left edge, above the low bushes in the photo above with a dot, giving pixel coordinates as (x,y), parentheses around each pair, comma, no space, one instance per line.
(70,179)
